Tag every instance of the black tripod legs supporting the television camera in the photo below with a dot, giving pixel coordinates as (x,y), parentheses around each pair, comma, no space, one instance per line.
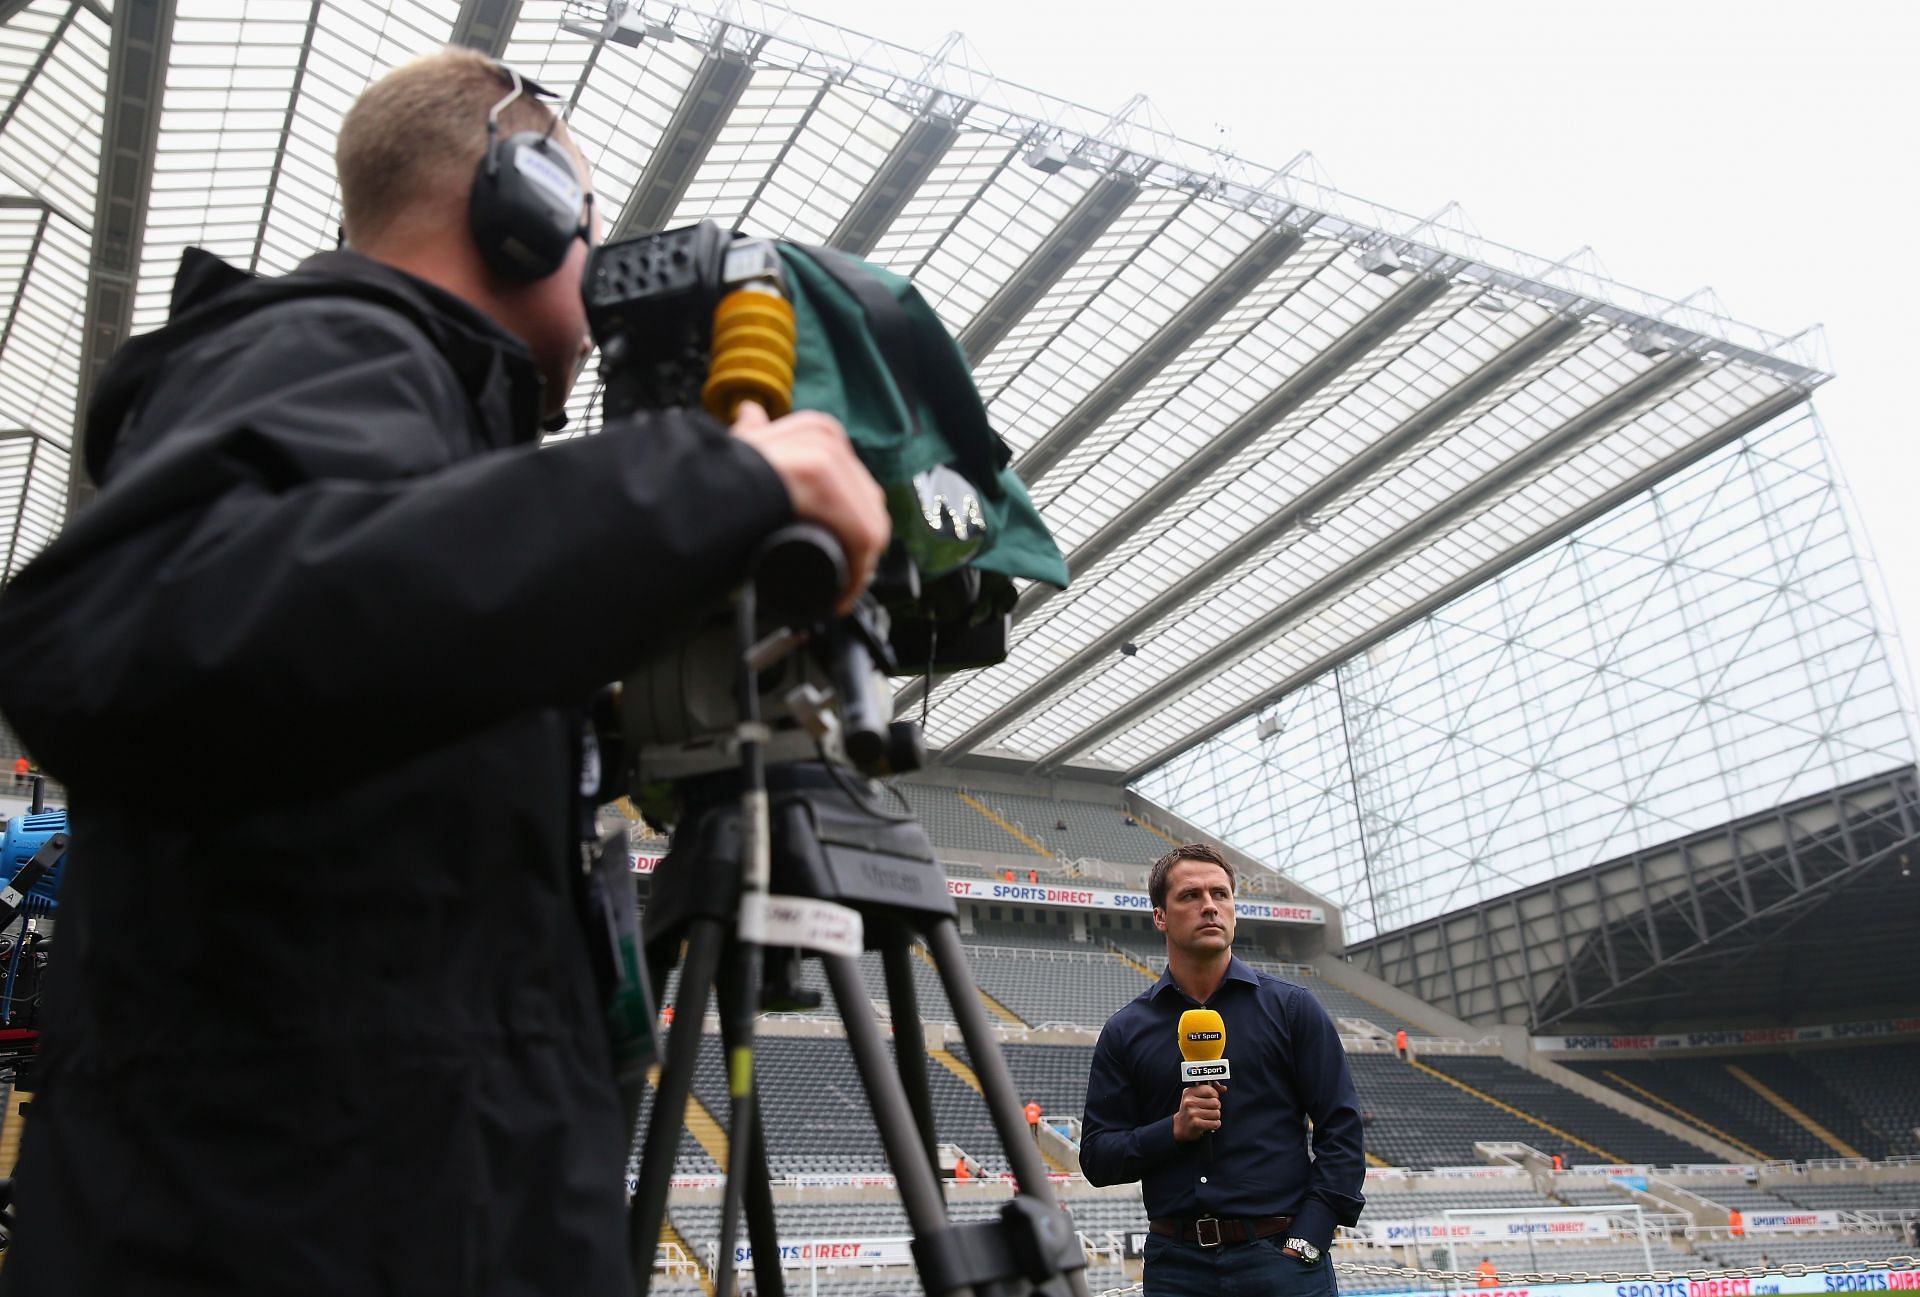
(830,845)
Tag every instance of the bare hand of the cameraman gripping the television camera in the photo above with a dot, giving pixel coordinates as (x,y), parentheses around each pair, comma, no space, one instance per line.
(827,483)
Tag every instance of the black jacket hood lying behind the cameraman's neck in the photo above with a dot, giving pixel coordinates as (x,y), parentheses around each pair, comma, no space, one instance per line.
(210,295)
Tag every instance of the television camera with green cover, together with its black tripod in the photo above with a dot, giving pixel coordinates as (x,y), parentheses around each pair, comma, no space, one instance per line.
(761,734)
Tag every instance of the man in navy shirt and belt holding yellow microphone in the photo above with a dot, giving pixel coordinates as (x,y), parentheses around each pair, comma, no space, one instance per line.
(1253,1208)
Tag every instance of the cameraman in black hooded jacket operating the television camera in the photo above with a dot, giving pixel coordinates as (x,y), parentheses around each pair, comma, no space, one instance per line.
(324,1014)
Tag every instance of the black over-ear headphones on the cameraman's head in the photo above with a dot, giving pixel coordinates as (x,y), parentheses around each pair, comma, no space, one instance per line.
(527,206)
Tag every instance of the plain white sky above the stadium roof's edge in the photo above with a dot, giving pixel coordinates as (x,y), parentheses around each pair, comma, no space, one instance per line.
(1764,149)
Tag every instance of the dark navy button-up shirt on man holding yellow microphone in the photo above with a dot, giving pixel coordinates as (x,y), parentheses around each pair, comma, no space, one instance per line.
(1287,1070)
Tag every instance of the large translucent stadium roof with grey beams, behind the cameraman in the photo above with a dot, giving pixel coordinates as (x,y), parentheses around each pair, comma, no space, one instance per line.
(1270,423)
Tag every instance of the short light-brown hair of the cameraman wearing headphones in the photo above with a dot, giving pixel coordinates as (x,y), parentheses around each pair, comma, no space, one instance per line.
(412,139)
